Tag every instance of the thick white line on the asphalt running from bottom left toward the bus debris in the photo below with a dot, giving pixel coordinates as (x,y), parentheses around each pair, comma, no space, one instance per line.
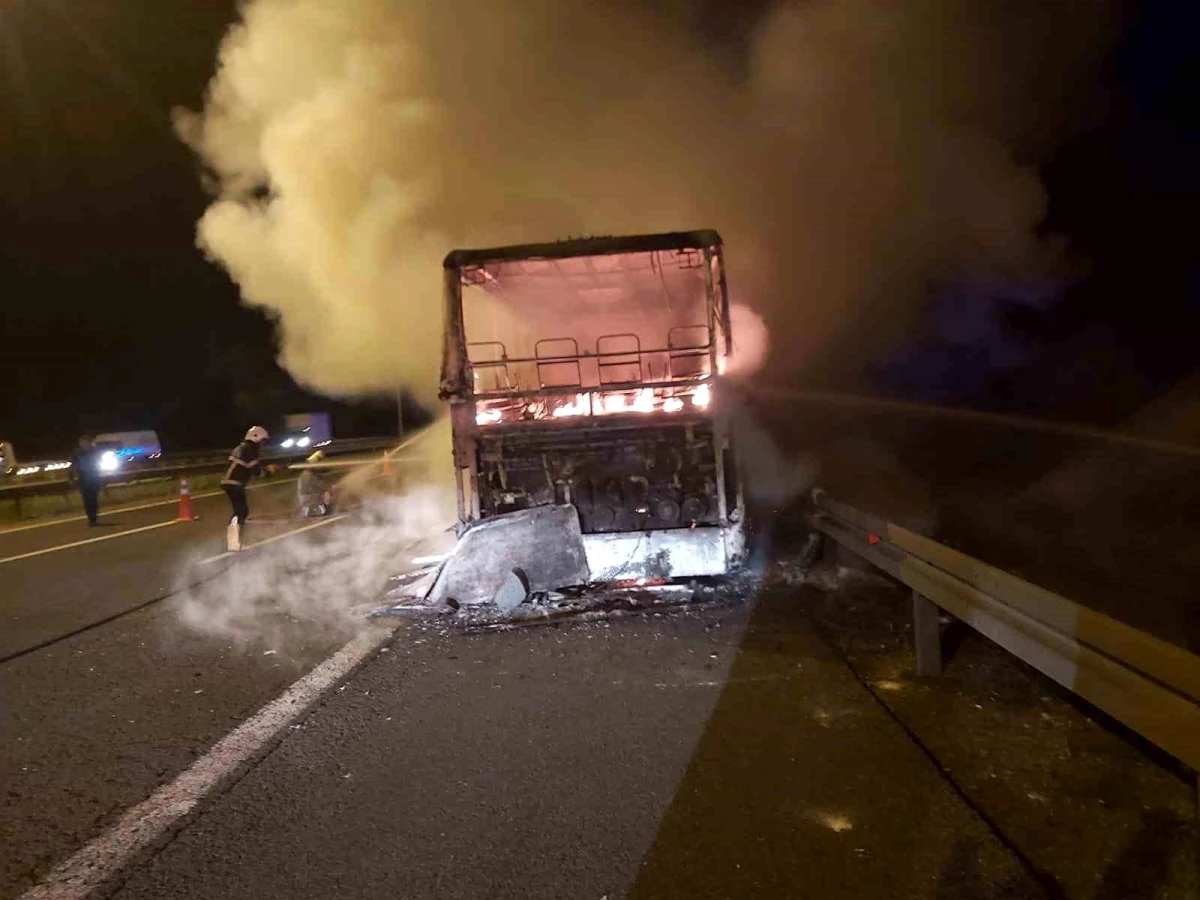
(146,825)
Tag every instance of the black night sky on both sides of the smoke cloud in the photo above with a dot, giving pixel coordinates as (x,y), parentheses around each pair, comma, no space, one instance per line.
(113,320)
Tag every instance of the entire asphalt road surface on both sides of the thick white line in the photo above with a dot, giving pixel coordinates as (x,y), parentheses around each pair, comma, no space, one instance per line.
(775,747)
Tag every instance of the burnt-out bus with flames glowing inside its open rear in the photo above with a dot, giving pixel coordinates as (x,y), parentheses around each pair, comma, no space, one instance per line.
(581,379)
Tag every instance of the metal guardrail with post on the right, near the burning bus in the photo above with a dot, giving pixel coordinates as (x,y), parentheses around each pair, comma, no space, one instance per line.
(1150,686)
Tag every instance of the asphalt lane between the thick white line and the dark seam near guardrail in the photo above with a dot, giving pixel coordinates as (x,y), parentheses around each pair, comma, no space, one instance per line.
(541,764)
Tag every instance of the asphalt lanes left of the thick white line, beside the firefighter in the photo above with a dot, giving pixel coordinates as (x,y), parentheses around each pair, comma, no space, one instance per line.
(92,724)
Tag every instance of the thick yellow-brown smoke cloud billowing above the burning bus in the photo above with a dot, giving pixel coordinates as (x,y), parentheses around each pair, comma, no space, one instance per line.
(851,153)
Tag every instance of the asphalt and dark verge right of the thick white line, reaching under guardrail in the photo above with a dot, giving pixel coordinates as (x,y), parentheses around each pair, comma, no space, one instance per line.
(721,753)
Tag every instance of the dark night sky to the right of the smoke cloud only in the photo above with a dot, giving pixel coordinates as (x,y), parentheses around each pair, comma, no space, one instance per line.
(1126,193)
